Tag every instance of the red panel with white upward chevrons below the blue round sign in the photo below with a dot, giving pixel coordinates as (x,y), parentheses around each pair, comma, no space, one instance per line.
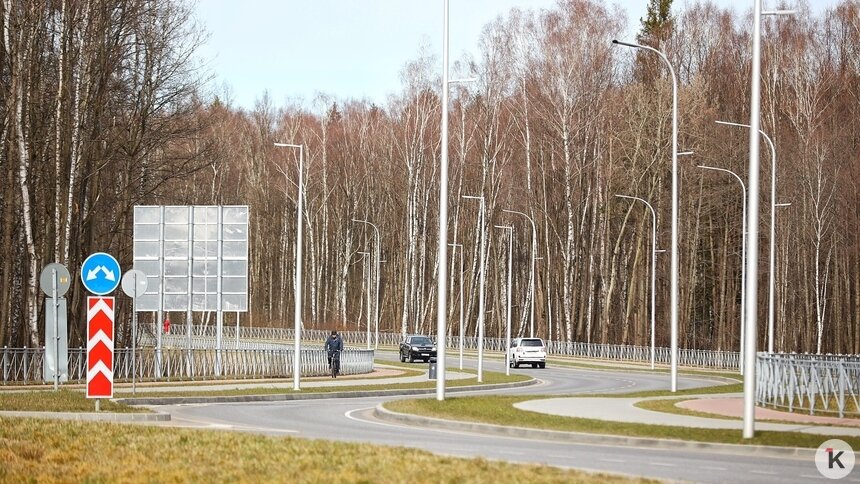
(100,347)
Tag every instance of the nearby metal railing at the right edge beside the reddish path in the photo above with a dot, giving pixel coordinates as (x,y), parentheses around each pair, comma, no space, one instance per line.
(813,383)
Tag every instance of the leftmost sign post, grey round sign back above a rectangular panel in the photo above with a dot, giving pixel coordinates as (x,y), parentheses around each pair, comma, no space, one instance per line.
(54,281)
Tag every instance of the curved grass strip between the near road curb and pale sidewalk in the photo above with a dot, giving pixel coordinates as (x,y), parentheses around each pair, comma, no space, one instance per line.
(500,411)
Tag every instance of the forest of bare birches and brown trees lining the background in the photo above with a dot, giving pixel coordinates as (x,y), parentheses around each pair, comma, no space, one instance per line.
(104,106)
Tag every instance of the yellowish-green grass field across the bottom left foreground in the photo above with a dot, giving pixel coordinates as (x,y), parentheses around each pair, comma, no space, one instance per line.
(50,451)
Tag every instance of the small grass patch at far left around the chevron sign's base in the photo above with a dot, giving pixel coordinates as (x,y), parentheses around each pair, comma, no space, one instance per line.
(59,401)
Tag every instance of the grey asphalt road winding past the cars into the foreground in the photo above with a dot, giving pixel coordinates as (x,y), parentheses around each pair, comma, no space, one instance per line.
(352,420)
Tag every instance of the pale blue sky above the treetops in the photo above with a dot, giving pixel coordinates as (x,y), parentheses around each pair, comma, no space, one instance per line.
(349,48)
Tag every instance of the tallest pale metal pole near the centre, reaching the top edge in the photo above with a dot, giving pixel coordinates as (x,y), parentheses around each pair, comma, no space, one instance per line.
(442,277)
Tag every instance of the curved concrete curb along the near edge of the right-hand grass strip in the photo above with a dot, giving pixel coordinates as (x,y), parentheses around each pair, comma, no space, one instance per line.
(597,439)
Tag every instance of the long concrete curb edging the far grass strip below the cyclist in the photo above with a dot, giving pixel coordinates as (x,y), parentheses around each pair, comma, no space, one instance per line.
(285,397)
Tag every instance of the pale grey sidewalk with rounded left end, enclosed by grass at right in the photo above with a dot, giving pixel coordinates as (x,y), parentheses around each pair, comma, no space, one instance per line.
(624,410)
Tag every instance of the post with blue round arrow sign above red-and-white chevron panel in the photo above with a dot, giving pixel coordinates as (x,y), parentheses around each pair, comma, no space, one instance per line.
(100,274)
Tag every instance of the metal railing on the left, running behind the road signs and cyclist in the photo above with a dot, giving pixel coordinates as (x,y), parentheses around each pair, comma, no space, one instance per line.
(24,365)
